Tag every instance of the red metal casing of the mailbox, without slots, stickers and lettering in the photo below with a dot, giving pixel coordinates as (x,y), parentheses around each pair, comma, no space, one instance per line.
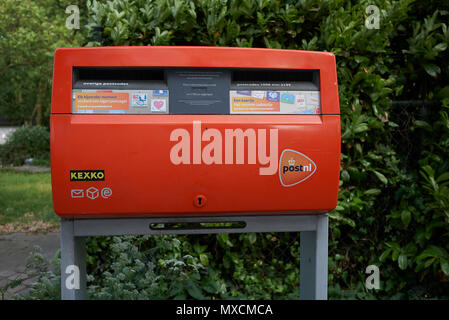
(135,150)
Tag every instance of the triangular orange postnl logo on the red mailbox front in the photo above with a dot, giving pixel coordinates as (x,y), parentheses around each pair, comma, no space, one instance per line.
(295,167)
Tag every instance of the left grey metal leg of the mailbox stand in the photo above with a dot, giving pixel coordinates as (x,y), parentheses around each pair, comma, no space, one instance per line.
(73,263)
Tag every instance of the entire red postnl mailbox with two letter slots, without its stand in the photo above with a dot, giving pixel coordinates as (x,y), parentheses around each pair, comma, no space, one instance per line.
(194,131)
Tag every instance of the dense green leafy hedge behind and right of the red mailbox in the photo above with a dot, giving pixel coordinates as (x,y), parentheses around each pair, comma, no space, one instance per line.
(393,208)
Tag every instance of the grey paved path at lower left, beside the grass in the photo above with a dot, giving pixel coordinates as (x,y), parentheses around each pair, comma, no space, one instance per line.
(15,249)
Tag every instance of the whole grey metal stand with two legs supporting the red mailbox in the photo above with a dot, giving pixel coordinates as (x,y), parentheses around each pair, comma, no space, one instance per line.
(313,243)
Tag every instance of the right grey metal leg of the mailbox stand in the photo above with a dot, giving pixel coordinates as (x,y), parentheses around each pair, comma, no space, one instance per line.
(314,261)
